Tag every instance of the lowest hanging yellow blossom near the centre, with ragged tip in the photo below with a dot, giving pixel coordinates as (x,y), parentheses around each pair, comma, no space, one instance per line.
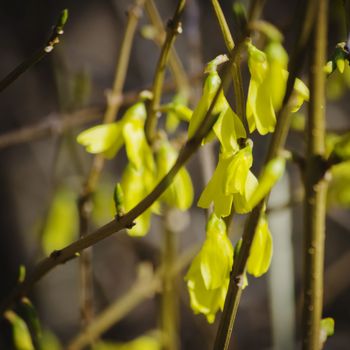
(208,276)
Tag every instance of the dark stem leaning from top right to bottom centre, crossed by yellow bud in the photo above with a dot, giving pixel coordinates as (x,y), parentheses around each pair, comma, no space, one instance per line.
(277,142)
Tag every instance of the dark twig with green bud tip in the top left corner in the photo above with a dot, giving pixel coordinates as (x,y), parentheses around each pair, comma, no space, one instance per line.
(39,55)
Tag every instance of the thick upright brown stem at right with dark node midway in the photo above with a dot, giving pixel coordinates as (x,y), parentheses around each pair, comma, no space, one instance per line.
(315,186)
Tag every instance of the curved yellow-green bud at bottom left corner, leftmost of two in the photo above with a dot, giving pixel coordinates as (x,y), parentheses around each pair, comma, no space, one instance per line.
(21,336)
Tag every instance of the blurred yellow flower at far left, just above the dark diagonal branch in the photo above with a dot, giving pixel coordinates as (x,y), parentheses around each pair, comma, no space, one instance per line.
(62,221)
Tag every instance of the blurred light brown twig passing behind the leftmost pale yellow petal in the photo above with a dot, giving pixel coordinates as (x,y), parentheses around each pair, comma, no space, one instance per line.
(84,201)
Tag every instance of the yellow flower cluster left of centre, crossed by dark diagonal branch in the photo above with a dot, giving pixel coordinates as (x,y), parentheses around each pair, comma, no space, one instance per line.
(143,171)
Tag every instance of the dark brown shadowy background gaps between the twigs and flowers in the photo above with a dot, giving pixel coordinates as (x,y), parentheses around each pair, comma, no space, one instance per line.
(30,171)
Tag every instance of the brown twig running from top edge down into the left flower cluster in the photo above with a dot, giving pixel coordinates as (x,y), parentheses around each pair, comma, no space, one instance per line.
(173,29)
